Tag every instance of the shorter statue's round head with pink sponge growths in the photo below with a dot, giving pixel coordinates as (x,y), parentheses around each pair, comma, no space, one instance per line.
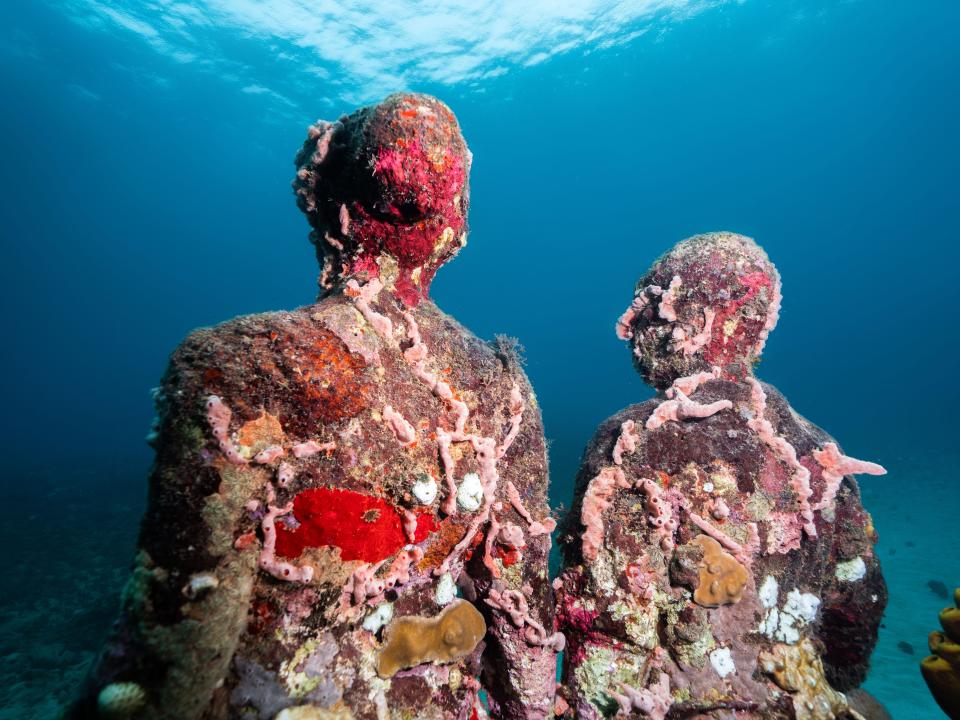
(709,302)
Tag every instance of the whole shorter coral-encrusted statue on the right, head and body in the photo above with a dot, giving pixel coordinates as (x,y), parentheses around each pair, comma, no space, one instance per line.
(717,559)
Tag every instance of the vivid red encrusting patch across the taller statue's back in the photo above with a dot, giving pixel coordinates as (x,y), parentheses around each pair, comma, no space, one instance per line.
(364,527)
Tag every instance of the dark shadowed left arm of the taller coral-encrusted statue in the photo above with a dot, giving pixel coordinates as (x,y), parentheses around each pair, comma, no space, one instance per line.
(186,601)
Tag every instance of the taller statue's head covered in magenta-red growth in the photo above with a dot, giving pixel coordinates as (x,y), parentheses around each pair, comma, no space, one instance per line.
(386,192)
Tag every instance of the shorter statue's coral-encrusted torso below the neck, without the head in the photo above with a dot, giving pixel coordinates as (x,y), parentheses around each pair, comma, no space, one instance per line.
(777,600)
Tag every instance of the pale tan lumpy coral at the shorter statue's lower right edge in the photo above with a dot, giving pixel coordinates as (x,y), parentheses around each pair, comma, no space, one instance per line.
(798,670)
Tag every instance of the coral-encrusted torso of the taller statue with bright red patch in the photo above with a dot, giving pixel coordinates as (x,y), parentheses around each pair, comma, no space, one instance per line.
(327,413)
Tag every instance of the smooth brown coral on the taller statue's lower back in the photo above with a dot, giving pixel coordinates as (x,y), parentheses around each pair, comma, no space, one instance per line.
(451,635)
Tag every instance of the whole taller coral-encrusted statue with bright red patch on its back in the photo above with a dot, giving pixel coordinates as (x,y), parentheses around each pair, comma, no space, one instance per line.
(327,479)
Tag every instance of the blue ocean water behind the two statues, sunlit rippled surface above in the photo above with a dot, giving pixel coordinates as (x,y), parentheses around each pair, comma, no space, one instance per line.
(144,191)
